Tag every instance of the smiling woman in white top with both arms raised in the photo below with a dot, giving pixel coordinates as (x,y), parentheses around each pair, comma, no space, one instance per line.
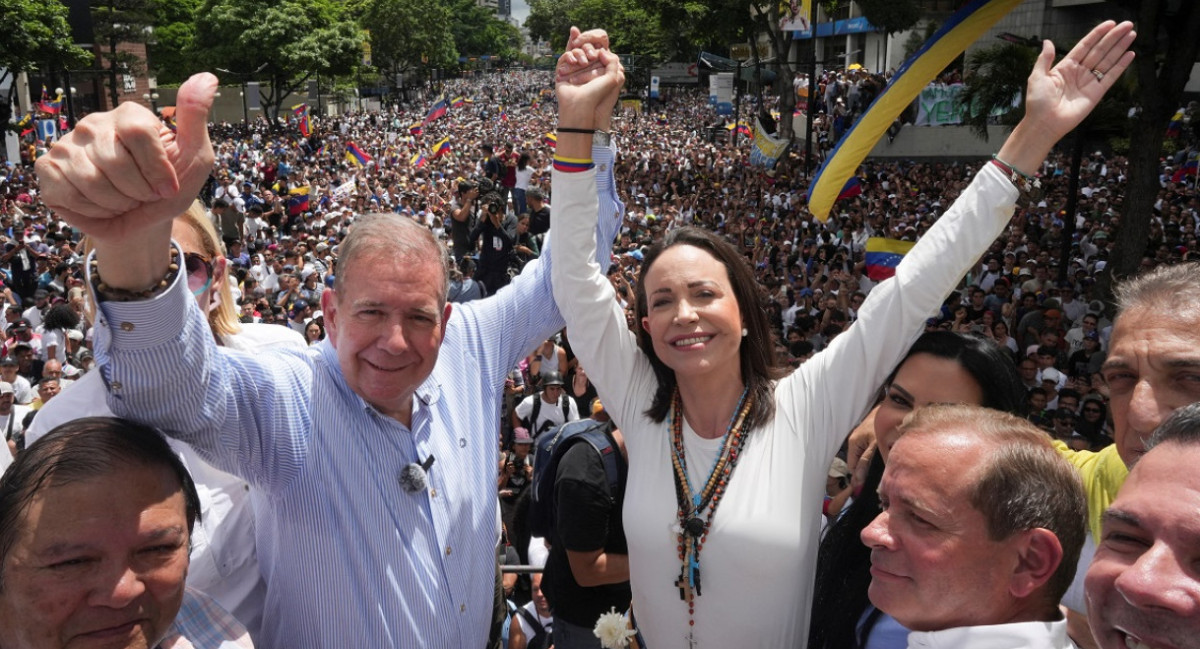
(728,458)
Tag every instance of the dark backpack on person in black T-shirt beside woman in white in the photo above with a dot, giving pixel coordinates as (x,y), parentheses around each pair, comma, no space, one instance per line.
(549,453)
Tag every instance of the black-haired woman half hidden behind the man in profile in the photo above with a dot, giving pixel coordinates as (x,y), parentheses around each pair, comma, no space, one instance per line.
(941,368)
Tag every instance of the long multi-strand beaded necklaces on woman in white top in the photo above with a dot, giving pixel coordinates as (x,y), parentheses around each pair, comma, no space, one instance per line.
(697,509)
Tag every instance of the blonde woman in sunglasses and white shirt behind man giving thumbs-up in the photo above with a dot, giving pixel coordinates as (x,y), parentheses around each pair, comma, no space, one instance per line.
(224,561)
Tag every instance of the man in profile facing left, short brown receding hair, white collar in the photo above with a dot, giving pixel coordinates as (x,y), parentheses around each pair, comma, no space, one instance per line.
(980,534)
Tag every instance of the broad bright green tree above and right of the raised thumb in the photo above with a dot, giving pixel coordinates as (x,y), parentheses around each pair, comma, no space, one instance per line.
(284,44)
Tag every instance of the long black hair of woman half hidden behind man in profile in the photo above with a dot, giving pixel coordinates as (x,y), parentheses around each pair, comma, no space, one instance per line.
(844,563)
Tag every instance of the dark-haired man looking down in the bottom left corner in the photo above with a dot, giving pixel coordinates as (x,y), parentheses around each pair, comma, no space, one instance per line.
(95,526)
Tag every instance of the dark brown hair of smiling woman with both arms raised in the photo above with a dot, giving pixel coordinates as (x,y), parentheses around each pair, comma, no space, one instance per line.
(760,369)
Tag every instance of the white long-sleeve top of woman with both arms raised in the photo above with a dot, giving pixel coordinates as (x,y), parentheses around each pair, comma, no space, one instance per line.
(760,558)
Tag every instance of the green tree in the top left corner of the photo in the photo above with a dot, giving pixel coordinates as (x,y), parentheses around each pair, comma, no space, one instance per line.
(37,37)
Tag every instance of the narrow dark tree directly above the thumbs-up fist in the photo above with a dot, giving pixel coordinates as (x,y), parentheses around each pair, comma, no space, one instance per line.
(117,22)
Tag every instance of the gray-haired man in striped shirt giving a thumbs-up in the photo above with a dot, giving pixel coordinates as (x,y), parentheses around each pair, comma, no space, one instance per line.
(353,549)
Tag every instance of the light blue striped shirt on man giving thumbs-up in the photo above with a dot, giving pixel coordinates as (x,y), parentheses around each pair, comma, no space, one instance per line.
(350,558)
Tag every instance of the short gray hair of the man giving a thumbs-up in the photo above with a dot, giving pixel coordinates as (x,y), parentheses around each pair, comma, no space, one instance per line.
(397,237)
